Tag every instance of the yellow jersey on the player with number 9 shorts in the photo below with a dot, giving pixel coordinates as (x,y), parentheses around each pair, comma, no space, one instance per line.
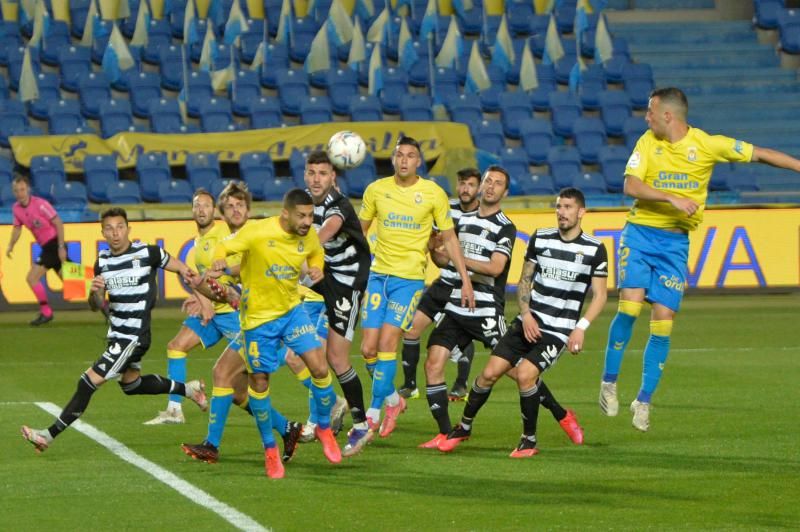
(405,217)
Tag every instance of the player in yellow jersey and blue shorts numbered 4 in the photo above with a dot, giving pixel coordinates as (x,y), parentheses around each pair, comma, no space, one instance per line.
(274,251)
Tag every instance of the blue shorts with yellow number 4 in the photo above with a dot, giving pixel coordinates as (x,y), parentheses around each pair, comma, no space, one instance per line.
(263,344)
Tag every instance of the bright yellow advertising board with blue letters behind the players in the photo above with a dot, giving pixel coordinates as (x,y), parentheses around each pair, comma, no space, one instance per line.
(736,248)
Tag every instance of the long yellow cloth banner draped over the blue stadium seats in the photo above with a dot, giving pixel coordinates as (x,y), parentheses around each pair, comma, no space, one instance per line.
(434,138)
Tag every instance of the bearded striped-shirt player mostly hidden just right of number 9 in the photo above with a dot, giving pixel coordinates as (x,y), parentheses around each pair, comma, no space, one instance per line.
(432,303)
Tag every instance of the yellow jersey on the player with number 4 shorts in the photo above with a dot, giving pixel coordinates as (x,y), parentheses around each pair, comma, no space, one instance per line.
(271,263)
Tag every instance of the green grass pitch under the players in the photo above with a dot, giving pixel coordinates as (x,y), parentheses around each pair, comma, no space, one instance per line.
(722,451)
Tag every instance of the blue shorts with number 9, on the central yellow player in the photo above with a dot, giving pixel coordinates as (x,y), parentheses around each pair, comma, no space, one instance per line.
(391,300)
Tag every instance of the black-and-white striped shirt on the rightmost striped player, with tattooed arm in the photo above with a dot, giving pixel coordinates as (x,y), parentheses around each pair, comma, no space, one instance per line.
(562,277)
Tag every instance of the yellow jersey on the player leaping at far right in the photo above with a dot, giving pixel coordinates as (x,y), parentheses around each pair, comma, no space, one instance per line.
(683,169)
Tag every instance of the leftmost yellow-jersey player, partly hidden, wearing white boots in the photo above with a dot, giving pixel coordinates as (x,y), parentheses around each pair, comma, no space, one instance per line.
(215,320)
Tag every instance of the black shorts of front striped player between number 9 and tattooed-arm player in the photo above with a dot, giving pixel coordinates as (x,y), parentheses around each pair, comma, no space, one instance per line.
(459,331)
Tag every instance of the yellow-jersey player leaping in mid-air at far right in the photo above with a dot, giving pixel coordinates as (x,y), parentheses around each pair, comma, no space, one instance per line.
(668,175)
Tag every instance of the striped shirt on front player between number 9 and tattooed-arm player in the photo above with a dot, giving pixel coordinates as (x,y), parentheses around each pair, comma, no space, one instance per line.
(480,238)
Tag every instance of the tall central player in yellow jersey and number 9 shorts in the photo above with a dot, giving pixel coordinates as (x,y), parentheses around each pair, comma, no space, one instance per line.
(405,207)
